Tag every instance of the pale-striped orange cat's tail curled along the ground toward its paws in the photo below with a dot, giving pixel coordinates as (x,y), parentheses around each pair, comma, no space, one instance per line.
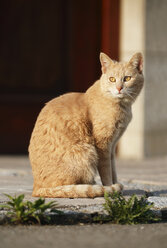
(77,191)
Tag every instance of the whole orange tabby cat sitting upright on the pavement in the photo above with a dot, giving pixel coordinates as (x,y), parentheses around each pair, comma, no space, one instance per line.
(75,134)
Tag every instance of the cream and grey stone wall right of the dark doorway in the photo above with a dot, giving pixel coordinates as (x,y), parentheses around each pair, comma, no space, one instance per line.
(144,28)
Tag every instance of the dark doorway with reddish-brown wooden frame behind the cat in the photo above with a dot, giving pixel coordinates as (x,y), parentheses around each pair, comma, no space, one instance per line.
(48,48)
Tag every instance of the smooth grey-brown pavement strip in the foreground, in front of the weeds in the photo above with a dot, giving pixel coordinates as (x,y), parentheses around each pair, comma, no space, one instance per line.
(85,236)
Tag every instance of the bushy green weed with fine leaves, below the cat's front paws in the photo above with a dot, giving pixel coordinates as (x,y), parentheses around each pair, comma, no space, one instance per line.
(130,211)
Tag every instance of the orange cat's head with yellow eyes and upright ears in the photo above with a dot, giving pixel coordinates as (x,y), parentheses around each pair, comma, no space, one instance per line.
(122,80)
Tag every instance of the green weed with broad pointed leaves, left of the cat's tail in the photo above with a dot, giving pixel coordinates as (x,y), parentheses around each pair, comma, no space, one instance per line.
(27,212)
